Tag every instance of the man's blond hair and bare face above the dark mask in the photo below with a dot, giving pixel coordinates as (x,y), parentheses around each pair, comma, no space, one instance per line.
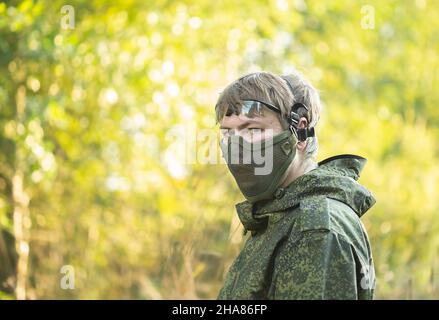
(273,89)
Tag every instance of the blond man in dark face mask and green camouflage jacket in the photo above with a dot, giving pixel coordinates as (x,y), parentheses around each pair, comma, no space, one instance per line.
(307,240)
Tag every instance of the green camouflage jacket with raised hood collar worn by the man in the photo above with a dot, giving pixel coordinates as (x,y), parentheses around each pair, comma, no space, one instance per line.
(308,242)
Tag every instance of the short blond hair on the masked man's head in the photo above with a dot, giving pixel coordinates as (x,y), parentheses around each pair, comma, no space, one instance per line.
(271,88)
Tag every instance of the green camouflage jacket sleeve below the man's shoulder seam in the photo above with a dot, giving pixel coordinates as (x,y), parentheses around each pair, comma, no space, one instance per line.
(317,264)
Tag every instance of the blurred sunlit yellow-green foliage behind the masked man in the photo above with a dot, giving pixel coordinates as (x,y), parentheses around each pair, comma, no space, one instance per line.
(135,221)
